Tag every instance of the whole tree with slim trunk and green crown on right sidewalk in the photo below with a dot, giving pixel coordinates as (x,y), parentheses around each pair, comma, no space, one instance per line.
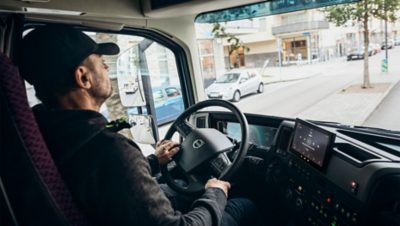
(361,12)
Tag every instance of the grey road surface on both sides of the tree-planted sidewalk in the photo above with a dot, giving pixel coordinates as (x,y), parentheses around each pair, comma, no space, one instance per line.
(290,99)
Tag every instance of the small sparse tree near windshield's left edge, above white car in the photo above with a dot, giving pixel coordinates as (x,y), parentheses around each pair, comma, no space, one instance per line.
(235,45)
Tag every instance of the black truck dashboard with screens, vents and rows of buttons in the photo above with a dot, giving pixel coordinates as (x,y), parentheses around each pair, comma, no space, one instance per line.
(327,175)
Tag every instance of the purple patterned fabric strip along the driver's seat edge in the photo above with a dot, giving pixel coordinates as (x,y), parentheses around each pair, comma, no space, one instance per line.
(24,120)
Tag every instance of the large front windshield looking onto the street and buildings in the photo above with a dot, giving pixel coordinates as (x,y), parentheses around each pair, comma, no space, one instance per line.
(311,62)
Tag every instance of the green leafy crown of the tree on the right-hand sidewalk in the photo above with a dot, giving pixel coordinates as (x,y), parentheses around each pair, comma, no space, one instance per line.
(341,14)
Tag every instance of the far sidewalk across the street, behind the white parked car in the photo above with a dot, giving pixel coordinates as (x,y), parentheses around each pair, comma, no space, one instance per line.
(296,72)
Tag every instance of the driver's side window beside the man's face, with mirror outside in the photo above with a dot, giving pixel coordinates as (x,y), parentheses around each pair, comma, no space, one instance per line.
(138,75)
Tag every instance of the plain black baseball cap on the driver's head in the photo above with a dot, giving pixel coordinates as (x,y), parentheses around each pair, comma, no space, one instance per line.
(54,51)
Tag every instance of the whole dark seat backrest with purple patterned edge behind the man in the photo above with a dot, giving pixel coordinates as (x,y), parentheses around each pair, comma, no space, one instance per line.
(22,134)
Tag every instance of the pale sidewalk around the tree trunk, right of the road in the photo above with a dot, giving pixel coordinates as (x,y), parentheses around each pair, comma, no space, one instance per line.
(353,105)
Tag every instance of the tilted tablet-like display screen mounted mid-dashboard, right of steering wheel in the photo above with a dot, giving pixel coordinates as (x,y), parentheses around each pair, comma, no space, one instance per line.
(311,142)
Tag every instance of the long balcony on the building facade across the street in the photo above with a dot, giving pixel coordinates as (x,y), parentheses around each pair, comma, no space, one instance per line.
(299,27)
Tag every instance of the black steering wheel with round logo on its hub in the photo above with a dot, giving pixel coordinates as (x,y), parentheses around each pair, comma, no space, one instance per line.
(204,149)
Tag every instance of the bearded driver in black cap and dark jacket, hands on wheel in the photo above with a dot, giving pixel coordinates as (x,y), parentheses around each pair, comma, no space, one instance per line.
(107,174)
